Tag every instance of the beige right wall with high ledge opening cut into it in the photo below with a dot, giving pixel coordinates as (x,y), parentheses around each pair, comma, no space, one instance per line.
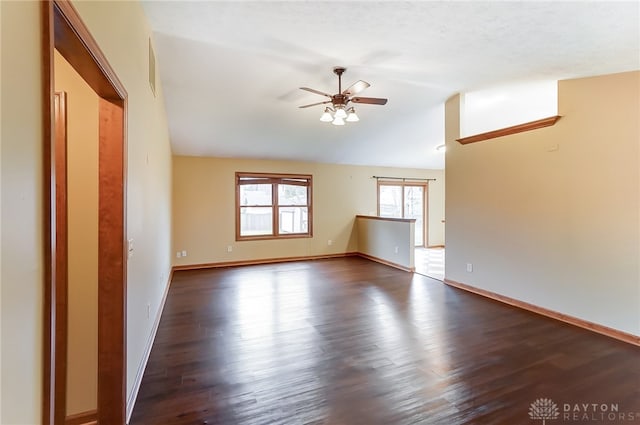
(551,216)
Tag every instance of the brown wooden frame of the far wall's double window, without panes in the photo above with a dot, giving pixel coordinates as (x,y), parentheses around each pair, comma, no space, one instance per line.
(275,179)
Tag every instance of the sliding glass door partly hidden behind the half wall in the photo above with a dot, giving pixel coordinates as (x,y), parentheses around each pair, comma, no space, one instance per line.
(405,200)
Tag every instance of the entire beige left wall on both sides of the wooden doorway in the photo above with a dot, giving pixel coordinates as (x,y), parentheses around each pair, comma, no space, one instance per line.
(148,192)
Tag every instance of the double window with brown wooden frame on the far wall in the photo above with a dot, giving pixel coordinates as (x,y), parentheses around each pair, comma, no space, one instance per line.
(272,206)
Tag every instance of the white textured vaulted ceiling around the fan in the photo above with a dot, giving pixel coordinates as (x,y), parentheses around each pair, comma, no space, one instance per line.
(230,70)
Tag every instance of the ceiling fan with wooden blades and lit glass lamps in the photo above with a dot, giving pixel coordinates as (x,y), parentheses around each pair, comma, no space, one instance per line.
(340,101)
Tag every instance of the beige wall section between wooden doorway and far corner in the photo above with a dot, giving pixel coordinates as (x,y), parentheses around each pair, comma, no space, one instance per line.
(149,168)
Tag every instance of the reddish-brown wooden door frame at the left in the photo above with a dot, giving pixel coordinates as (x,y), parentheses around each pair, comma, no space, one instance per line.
(63,30)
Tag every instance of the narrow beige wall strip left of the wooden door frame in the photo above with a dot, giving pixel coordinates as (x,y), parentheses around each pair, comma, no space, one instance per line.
(21,246)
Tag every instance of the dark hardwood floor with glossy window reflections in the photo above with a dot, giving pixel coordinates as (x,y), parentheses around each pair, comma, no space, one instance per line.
(349,341)
